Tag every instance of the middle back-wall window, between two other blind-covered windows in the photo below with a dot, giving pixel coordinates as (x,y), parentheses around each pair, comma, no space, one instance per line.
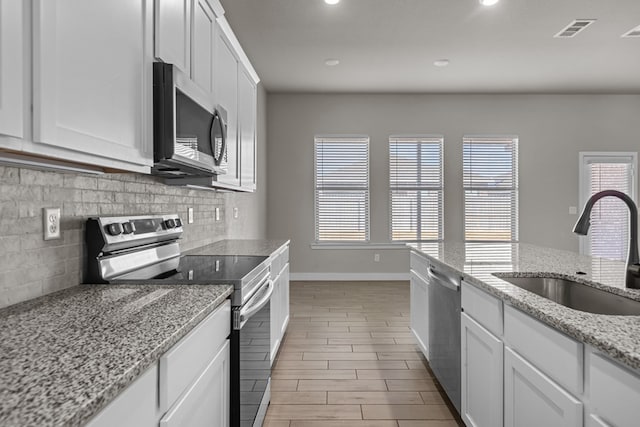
(415,181)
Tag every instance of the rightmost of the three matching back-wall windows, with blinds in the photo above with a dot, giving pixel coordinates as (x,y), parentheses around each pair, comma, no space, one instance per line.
(490,179)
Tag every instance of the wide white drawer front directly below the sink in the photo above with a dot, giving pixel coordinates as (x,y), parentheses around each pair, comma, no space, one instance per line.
(552,352)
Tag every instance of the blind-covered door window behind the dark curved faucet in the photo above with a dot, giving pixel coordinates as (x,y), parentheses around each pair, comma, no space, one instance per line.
(609,231)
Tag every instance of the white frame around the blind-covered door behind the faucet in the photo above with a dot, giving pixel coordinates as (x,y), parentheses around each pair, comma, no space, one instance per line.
(583,184)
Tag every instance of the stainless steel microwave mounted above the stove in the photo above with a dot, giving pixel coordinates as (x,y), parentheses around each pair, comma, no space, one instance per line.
(189,130)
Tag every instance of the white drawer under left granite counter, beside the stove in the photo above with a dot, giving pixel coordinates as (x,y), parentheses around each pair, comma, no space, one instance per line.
(182,365)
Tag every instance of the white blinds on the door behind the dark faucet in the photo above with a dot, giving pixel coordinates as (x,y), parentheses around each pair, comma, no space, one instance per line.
(609,232)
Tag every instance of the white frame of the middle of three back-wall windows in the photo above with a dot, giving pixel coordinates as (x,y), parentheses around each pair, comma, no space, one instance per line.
(440,189)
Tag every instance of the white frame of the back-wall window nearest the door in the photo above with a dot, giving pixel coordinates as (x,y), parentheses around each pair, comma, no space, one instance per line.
(515,208)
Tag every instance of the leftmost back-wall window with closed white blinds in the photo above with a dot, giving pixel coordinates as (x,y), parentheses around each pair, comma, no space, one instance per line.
(342,189)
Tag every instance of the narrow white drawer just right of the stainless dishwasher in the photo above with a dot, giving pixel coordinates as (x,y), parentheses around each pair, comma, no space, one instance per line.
(482,307)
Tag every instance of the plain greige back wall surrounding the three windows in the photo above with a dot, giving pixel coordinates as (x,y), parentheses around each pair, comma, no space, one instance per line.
(552,130)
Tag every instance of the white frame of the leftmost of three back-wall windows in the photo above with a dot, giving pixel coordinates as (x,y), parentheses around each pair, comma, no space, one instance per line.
(337,137)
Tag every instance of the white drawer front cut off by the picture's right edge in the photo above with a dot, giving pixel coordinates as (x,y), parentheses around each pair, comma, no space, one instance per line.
(615,392)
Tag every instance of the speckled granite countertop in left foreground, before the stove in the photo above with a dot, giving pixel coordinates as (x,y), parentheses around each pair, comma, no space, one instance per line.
(65,356)
